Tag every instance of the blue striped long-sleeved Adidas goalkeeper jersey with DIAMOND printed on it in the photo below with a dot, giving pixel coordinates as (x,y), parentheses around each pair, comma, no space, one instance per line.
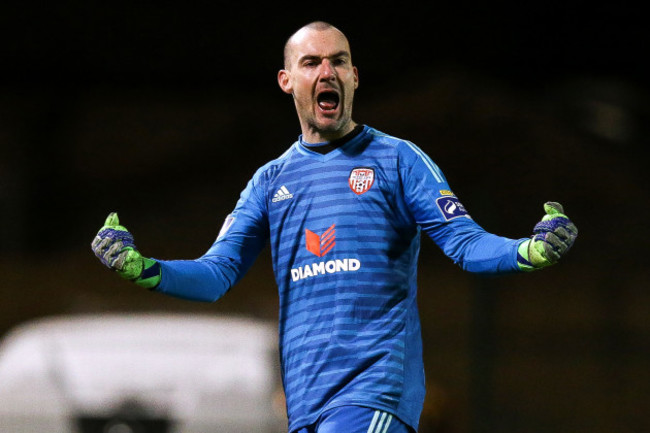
(344,230)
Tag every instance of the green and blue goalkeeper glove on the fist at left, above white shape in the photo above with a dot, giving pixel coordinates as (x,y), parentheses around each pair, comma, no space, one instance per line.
(114,247)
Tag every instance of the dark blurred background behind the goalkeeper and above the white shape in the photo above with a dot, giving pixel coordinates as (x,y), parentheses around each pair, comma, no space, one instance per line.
(162,111)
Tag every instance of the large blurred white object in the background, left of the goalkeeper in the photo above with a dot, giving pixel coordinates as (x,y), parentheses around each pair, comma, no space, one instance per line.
(196,373)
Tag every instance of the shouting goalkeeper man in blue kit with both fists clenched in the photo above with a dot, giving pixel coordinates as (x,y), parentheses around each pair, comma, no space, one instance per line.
(343,209)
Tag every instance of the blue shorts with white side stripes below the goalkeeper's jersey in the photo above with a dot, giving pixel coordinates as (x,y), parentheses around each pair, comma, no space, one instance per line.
(356,419)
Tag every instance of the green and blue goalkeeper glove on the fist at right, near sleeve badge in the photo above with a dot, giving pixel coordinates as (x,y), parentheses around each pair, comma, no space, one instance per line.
(553,237)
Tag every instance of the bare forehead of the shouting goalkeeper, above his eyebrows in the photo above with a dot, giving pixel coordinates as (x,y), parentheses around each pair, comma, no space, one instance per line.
(320,43)
